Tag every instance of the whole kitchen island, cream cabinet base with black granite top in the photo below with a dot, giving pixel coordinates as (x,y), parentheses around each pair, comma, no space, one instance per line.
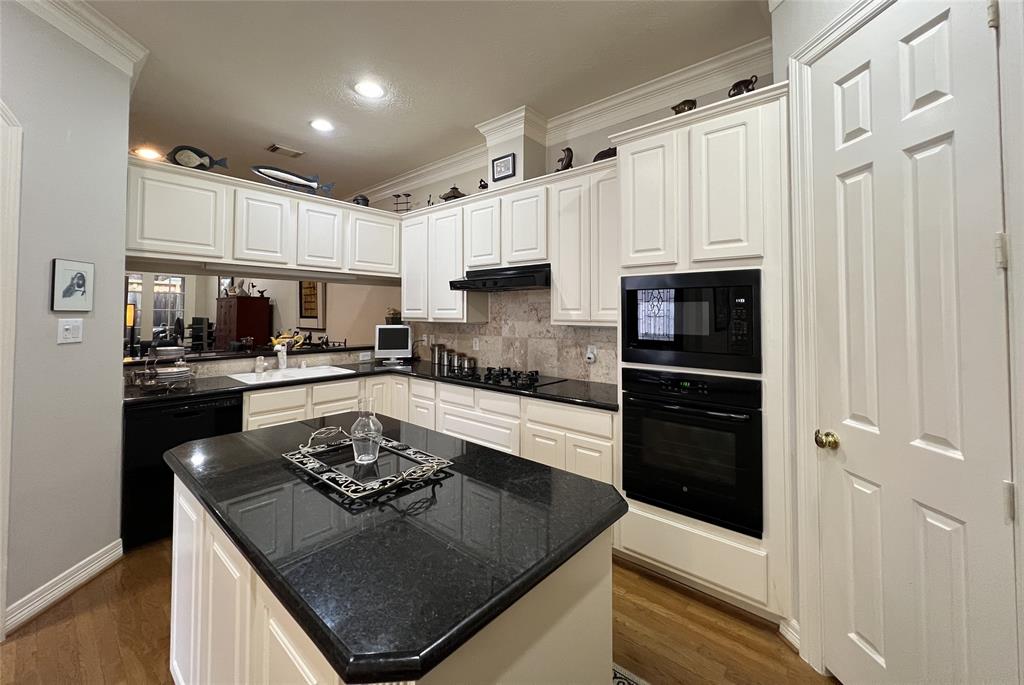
(496,570)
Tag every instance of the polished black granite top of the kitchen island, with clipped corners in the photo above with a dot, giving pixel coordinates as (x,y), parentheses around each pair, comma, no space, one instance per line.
(395,587)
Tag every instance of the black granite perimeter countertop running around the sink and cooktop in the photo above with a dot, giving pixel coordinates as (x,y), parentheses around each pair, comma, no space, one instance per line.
(583,394)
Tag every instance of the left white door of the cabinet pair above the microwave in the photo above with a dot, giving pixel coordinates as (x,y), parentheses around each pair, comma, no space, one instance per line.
(650,193)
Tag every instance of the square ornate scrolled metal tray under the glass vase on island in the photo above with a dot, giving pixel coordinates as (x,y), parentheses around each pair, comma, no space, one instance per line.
(400,465)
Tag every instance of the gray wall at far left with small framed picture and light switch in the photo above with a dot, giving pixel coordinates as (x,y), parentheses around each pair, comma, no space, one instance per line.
(65,490)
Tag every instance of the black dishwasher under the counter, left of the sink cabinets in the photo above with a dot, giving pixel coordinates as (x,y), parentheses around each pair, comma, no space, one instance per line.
(147,483)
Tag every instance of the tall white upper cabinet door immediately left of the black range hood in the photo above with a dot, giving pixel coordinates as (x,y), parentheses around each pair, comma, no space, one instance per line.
(446,265)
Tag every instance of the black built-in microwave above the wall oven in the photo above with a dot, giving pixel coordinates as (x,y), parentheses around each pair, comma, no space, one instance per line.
(706,320)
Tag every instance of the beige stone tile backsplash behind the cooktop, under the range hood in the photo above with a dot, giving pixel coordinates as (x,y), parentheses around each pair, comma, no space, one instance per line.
(520,334)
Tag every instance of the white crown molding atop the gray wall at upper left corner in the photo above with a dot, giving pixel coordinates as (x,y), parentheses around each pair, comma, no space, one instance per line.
(81,23)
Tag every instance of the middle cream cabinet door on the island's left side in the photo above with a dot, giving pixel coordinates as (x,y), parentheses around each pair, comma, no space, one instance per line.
(227,601)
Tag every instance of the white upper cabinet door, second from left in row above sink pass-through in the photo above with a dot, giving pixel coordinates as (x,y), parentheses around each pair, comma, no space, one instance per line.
(265,228)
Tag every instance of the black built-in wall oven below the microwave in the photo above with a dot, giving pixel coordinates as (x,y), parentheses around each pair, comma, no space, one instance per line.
(693,445)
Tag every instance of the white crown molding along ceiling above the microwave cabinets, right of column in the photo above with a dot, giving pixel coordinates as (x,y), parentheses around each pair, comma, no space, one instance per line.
(717,73)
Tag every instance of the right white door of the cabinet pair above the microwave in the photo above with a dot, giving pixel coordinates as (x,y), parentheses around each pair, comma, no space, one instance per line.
(727,182)
